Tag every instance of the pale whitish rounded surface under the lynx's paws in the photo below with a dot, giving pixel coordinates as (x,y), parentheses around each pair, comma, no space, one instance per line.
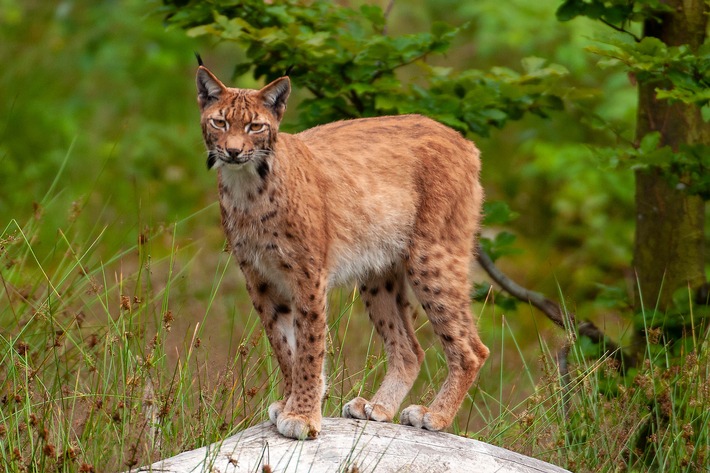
(351,446)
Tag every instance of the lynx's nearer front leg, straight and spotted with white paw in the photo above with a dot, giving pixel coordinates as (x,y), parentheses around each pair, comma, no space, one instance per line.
(301,416)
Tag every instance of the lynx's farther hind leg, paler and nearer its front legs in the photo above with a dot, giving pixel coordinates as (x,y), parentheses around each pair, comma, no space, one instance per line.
(390,312)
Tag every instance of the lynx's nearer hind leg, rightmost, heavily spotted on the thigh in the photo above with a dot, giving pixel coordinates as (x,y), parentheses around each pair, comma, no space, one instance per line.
(439,278)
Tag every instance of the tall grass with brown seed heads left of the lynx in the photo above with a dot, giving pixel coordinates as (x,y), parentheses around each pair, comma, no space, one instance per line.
(91,378)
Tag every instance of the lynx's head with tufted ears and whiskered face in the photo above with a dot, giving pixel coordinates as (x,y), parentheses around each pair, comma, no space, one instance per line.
(239,125)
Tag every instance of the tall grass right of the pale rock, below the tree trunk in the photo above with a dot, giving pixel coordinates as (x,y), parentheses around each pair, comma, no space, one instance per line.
(653,417)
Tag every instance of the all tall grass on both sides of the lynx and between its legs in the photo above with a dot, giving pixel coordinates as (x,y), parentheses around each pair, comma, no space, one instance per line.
(109,360)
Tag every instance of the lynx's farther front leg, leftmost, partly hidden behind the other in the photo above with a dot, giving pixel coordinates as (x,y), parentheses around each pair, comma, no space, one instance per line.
(275,313)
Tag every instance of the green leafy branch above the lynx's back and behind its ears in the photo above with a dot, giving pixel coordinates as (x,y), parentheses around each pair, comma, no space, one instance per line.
(352,67)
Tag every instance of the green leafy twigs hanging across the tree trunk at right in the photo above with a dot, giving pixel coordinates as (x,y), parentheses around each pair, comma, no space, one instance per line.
(681,74)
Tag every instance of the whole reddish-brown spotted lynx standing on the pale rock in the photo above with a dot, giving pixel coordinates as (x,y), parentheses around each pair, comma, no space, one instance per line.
(384,203)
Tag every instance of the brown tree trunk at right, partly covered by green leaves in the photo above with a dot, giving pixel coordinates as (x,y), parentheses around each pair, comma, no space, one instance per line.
(669,248)
